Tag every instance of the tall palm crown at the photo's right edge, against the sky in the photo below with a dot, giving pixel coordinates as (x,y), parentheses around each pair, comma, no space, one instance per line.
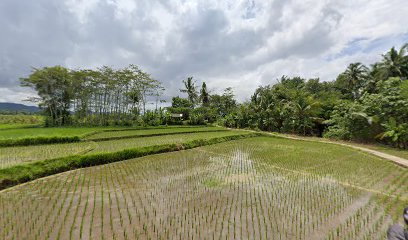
(395,63)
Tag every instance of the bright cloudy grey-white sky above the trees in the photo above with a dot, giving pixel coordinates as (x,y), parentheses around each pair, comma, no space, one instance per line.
(241,44)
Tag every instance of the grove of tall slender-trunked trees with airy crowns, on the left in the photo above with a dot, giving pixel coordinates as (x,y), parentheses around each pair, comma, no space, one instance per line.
(105,96)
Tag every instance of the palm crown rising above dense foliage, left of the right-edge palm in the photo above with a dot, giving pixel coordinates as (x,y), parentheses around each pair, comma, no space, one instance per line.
(355,75)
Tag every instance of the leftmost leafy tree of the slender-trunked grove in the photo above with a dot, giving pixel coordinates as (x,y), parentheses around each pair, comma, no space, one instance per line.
(54,88)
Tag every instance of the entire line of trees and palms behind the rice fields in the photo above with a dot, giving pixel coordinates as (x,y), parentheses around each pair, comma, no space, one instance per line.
(364,103)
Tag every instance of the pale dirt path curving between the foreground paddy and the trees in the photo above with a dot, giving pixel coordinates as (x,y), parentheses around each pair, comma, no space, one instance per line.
(398,160)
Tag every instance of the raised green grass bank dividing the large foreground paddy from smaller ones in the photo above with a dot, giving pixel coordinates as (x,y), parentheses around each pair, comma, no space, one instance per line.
(30,171)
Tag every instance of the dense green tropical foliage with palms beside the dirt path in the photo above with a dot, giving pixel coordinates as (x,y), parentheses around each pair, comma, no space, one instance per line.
(363,103)
